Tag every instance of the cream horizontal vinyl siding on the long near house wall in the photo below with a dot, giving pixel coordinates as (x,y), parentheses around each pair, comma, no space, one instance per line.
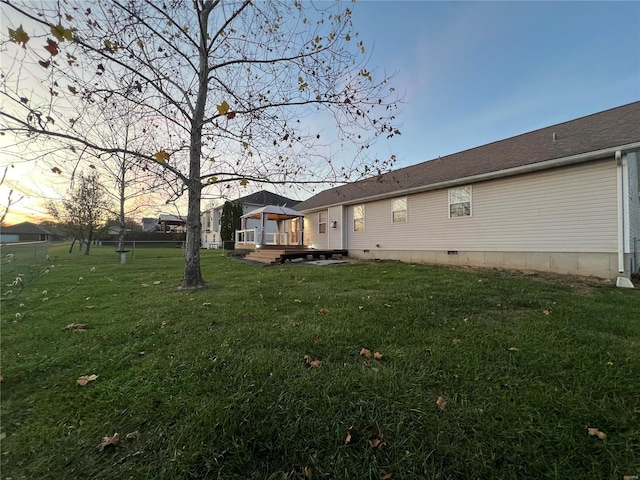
(570,209)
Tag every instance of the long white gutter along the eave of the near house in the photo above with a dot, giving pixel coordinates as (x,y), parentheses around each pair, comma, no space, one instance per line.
(533,167)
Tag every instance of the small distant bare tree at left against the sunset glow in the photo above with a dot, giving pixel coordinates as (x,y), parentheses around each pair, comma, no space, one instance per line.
(84,211)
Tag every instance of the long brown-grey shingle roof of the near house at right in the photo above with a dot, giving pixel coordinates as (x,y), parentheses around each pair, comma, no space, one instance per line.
(610,128)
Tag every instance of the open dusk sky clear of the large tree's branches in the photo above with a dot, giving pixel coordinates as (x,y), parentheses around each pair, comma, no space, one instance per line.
(476,72)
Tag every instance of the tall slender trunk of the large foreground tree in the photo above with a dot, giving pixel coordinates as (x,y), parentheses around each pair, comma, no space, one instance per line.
(192,271)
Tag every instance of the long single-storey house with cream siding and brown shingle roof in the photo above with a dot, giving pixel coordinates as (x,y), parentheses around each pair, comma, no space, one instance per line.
(561,199)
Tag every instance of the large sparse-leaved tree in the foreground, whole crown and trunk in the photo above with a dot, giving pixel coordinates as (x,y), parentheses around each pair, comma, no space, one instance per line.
(233,90)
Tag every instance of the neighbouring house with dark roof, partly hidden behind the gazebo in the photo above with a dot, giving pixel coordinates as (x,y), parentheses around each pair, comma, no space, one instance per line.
(210,218)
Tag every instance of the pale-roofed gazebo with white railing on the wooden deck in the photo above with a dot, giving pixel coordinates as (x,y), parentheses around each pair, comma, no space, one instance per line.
(283,216)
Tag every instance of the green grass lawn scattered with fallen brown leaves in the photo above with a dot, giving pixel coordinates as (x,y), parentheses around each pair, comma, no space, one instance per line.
(213,384)
